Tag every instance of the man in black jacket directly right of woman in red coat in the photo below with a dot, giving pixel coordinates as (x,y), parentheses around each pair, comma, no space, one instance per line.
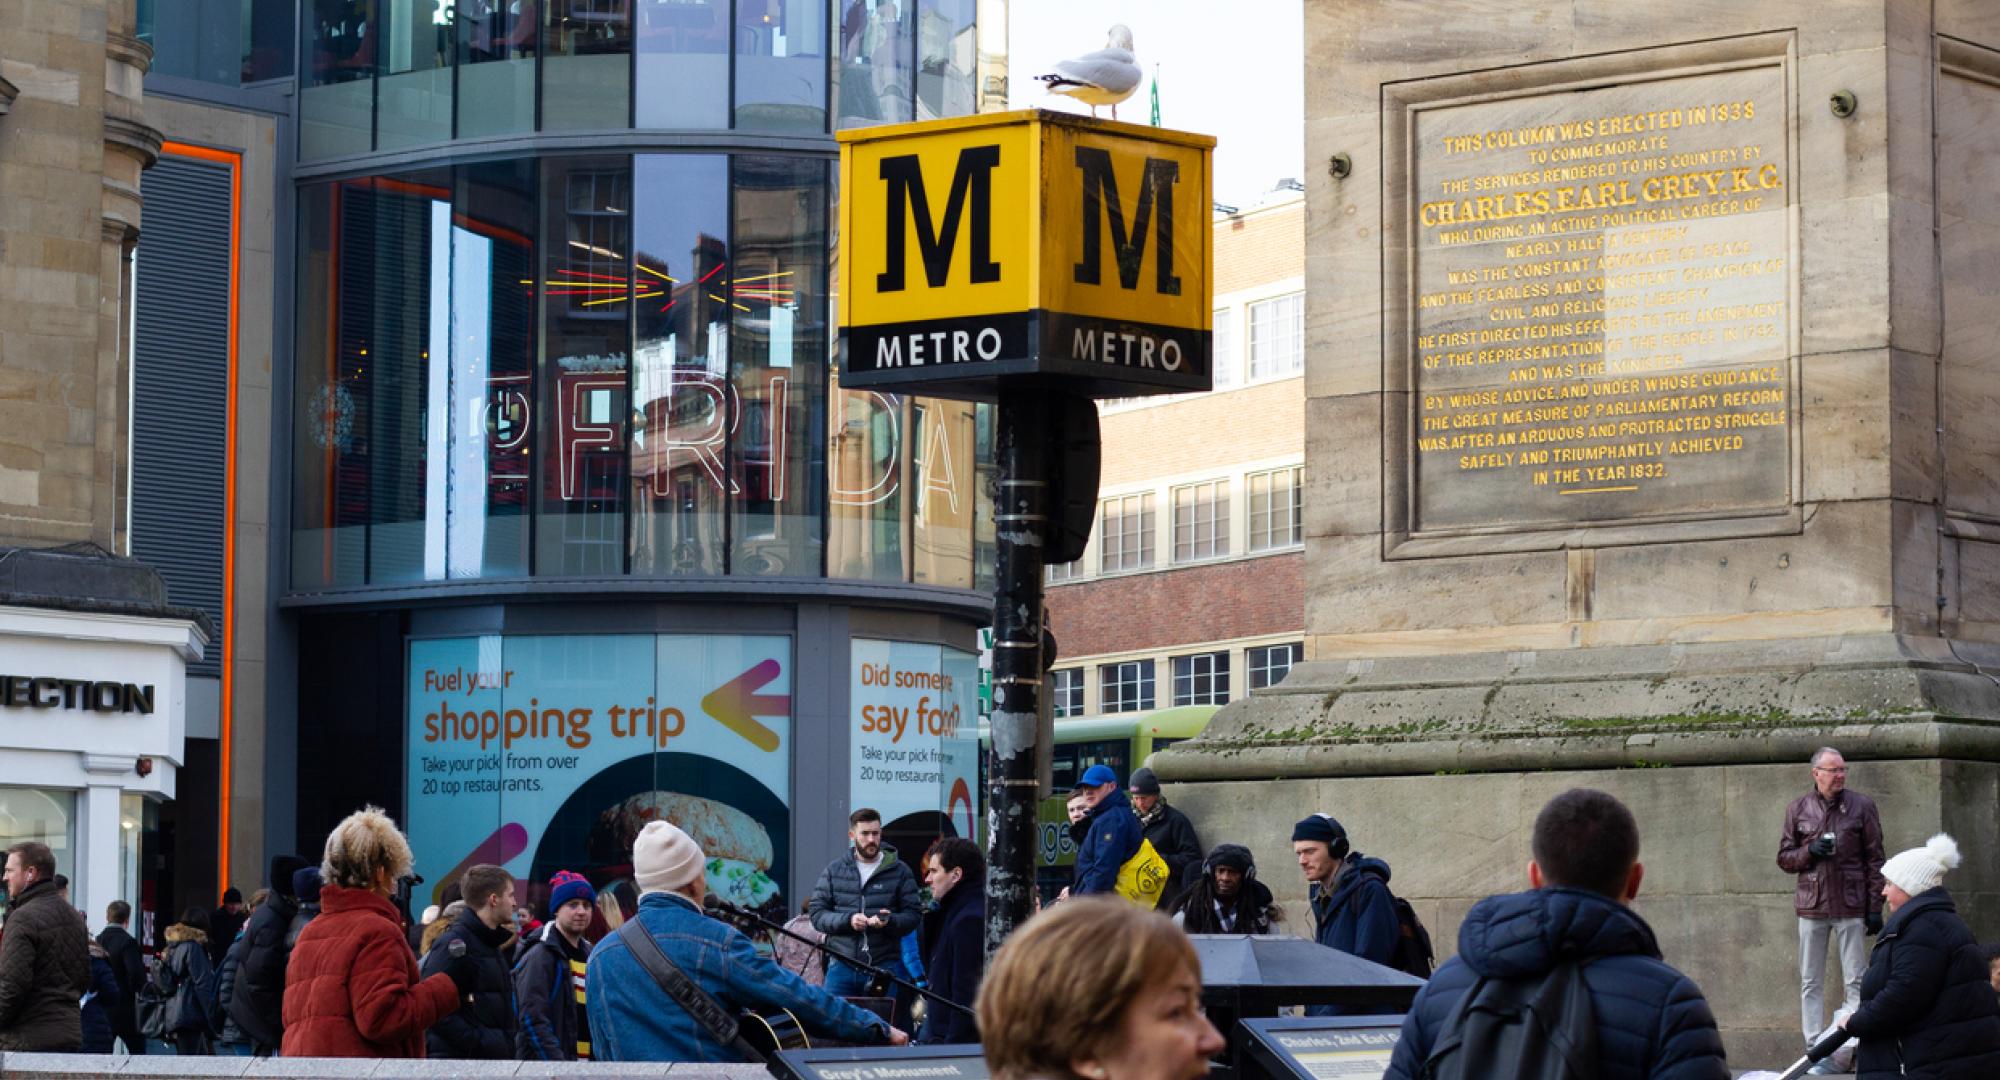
(485,1023)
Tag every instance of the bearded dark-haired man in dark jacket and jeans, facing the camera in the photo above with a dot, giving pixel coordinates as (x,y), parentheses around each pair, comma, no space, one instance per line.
(865,903)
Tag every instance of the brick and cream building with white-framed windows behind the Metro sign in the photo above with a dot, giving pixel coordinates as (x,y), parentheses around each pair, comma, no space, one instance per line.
(1193,585)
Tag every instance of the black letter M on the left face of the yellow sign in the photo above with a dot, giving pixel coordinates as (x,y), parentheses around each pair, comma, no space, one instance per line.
(973,179)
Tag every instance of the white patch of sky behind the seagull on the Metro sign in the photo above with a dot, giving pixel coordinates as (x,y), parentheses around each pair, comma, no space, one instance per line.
(1235,77)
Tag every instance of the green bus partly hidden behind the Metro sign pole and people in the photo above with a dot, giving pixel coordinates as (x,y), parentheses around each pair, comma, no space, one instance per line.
(1121,741)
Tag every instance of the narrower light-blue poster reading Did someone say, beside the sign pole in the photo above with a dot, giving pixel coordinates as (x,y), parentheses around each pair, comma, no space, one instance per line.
(915,743)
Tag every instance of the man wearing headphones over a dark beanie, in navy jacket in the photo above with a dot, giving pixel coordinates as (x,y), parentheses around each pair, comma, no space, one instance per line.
(1353,909)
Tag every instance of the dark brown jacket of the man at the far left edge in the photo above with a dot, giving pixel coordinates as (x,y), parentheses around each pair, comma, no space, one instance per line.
(45,973)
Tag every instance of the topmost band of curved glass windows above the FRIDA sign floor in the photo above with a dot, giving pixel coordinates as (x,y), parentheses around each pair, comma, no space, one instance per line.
(389,75)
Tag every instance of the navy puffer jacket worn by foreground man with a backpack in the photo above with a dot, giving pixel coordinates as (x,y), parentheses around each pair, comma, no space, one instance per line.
(1653,1021)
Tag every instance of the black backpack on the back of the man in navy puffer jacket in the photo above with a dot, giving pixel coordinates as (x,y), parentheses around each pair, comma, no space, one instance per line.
(1525,1029)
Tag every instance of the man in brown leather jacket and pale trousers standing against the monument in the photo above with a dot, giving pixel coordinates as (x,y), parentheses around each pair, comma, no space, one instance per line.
(1833,841)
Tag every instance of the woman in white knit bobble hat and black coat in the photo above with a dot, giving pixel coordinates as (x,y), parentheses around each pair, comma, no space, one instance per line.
(1927,1007)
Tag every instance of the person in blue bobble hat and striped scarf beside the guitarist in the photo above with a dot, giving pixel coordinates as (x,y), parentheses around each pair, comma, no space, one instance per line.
(549,979)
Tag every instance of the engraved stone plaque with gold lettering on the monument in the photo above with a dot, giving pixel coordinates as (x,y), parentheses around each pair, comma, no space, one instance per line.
(1597,307)
